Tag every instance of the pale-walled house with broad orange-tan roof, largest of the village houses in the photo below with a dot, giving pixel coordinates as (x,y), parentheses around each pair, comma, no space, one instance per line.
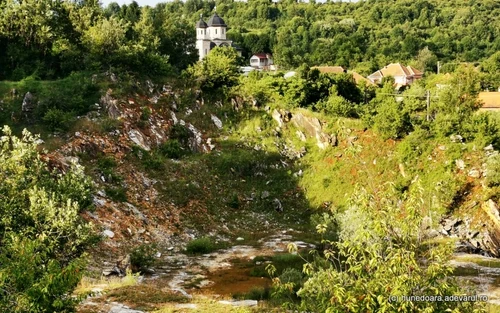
(403,75)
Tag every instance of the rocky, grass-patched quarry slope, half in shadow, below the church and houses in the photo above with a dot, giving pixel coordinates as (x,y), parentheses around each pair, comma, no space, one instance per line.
(171,164)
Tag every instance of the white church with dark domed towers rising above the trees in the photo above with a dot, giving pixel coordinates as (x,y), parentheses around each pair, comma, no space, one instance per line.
(212,34)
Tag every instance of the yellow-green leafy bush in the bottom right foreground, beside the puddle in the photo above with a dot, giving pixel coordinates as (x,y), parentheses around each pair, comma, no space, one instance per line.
(380,256)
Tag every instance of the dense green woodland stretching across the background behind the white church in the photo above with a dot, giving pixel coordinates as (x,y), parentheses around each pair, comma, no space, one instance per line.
(53,38)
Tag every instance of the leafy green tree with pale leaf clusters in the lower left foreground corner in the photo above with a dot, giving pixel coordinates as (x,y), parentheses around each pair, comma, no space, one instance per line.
(43,238)
